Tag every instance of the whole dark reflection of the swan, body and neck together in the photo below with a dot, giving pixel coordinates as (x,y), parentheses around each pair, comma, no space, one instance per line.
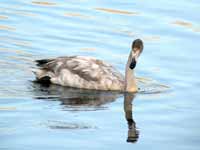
(87,100)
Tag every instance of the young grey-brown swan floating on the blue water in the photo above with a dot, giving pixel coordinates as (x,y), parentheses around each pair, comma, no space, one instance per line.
(89,73)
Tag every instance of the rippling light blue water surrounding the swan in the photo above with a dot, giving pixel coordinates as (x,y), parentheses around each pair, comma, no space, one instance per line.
(164,115)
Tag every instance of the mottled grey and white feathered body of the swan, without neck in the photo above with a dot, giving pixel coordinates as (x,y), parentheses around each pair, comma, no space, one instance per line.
(80,72)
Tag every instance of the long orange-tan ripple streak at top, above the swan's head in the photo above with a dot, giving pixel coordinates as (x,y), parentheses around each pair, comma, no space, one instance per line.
(115,11)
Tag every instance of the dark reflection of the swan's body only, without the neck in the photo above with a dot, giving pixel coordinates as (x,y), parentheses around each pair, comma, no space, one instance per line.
(75,99)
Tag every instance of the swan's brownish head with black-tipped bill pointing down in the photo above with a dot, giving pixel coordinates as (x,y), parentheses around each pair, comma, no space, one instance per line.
(137,48)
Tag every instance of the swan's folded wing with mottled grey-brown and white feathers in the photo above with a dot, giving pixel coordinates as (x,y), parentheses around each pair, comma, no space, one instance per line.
(83,67)
